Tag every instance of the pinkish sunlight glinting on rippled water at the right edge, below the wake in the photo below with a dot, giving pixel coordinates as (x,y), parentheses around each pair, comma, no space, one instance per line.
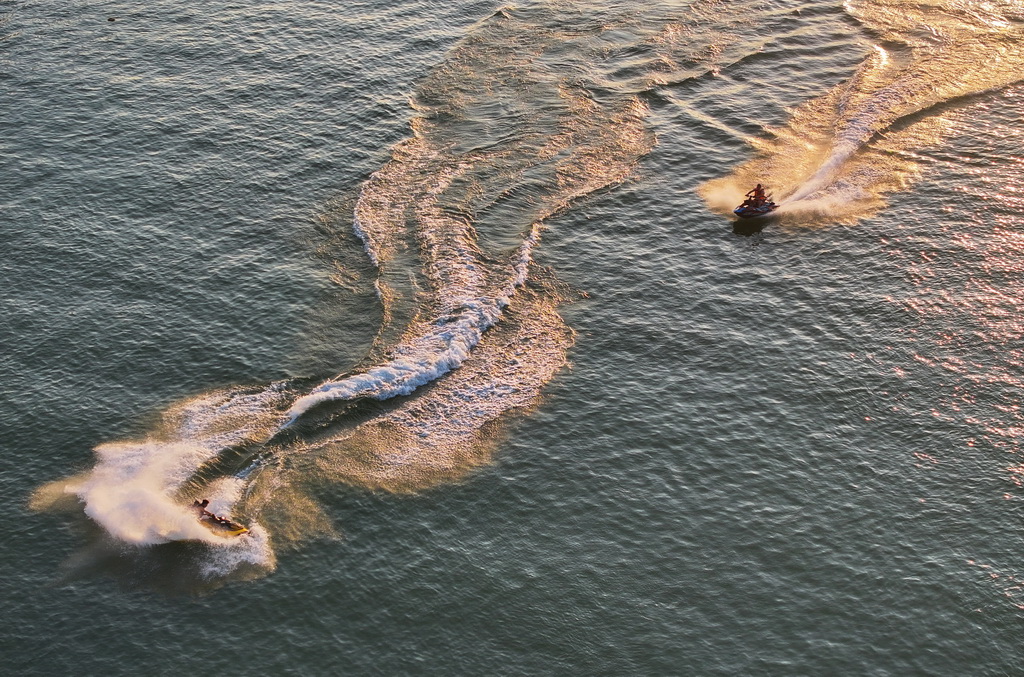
(968,281)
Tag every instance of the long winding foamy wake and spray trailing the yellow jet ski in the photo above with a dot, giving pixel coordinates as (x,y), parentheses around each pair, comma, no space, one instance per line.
(536,109)
